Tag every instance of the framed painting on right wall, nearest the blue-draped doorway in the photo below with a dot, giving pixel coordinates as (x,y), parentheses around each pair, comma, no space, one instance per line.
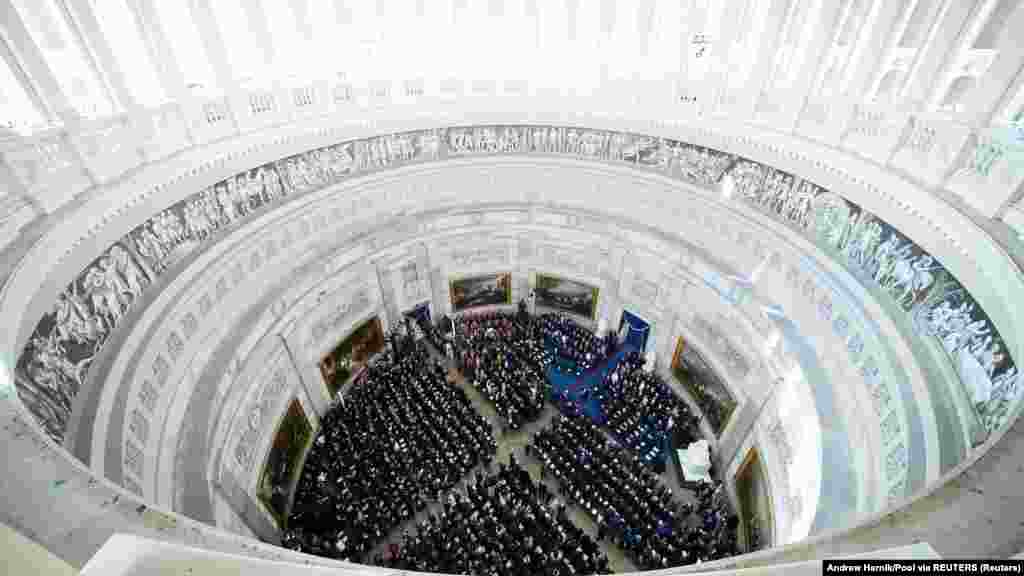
(706,388)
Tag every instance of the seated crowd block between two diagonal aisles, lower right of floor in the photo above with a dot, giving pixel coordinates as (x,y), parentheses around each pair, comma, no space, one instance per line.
(625,499)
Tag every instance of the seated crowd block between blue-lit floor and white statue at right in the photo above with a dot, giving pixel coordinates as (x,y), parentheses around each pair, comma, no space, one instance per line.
(643,412)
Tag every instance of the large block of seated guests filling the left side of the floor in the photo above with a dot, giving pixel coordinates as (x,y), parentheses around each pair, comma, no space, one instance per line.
(400,438)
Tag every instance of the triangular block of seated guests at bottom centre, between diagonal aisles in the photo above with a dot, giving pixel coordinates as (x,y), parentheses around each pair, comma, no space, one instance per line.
(504,525)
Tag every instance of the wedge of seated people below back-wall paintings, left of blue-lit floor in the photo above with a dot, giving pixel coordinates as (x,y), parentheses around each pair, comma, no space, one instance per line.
(499,360)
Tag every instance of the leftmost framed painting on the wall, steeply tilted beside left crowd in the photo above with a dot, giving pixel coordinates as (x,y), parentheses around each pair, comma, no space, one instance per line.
(284,462)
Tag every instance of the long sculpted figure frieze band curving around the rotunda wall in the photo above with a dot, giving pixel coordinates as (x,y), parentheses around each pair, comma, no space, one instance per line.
(53,367)
